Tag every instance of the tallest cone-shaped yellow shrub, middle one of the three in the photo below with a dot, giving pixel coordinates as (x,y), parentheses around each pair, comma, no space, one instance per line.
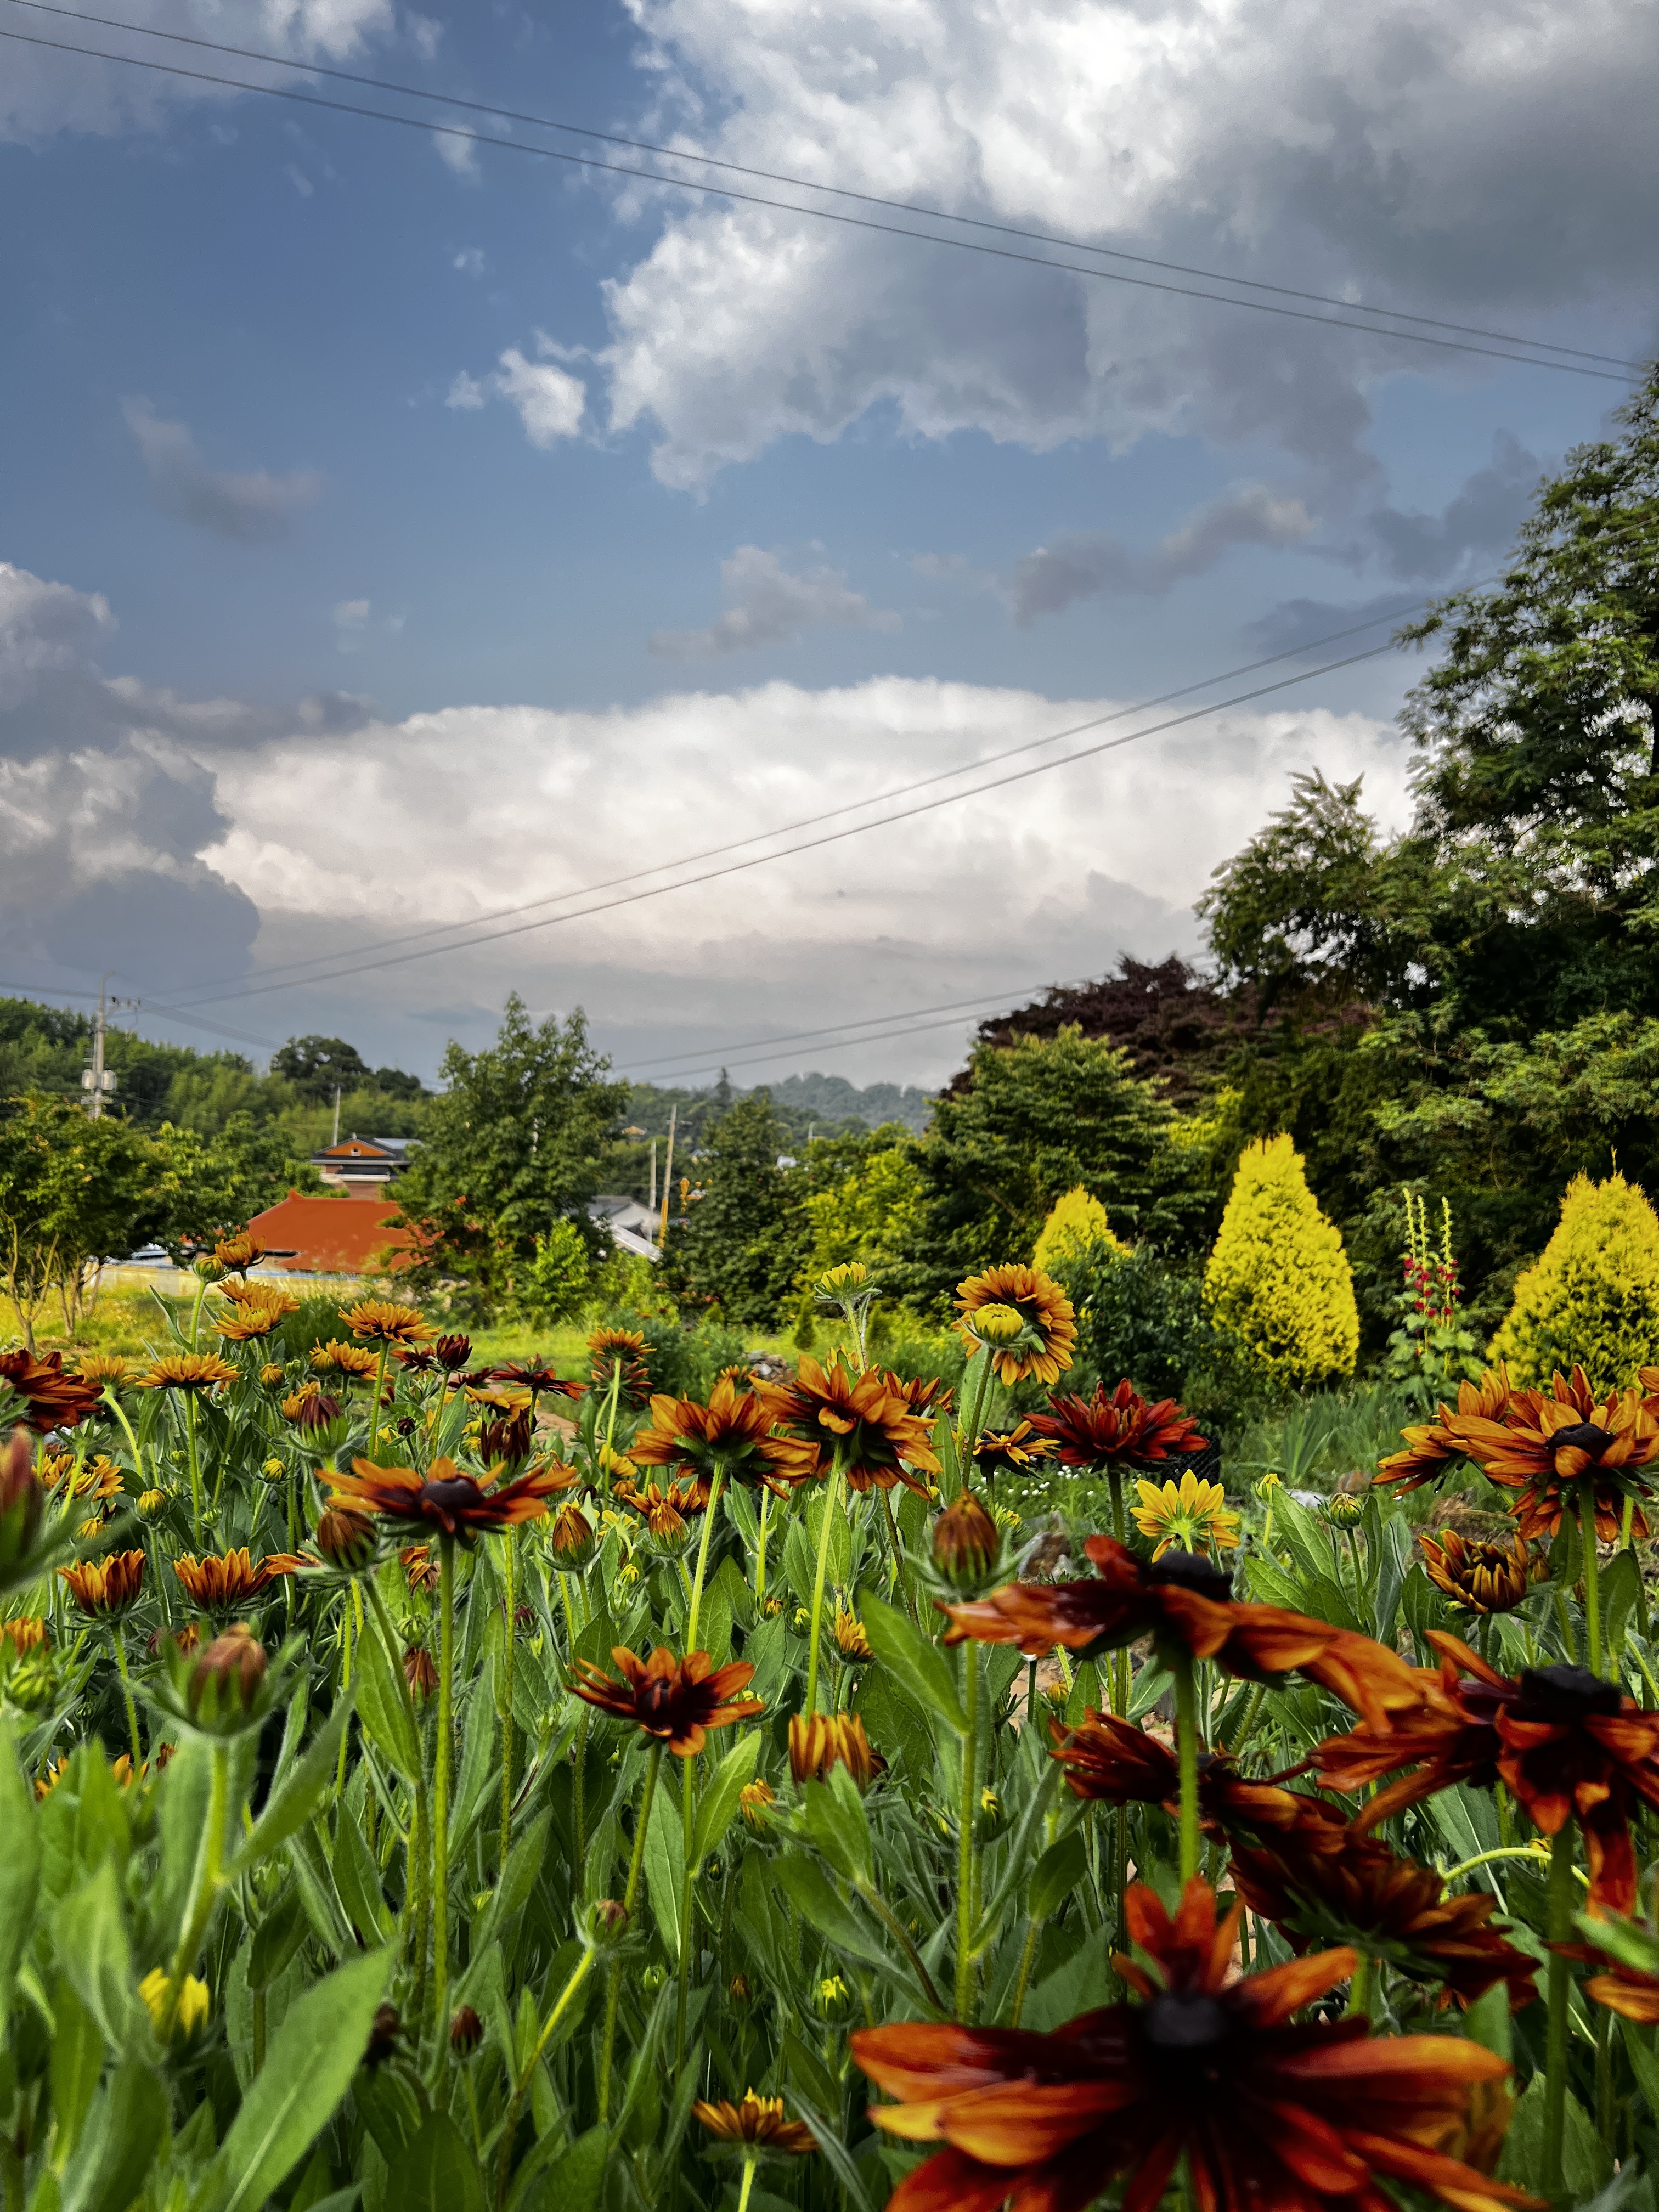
(1280,1280)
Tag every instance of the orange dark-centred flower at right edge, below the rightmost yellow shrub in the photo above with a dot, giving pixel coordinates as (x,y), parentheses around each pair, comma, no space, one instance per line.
(1547,1450)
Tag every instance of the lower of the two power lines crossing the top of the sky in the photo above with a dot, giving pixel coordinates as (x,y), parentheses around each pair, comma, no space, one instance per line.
(824,216)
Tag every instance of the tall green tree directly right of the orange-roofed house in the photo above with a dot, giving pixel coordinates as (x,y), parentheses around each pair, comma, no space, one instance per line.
(512,1147)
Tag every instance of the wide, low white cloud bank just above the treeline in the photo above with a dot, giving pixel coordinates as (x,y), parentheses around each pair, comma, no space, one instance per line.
(1043,879)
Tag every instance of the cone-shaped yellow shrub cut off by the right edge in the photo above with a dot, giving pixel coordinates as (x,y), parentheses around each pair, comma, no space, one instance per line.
(1594,1297)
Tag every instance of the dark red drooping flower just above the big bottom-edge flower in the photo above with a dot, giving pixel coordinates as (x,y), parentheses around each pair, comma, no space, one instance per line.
(1357,1890)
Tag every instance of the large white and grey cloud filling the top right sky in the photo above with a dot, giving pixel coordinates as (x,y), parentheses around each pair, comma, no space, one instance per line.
(1483,160)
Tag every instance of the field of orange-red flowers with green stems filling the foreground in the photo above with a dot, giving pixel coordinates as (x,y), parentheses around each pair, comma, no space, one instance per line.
(501,1786)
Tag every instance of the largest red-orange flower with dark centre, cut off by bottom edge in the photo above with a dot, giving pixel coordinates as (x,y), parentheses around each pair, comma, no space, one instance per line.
(1211,2069)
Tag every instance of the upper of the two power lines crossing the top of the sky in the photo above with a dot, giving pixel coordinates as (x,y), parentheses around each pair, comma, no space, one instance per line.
(813,185)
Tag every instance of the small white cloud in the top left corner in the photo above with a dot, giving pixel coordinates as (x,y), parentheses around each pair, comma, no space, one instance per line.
(45,92)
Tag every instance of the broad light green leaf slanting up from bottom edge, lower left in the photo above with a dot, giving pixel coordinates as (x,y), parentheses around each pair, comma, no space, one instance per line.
(309,2069)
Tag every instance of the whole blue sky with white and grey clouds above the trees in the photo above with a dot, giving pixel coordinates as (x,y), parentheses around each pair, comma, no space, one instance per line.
(404,530)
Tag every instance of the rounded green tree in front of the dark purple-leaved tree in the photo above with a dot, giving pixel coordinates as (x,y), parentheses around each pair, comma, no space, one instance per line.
(1036,1120)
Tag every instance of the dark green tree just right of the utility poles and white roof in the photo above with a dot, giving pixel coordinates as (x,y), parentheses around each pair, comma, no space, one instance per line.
(742,1240)
